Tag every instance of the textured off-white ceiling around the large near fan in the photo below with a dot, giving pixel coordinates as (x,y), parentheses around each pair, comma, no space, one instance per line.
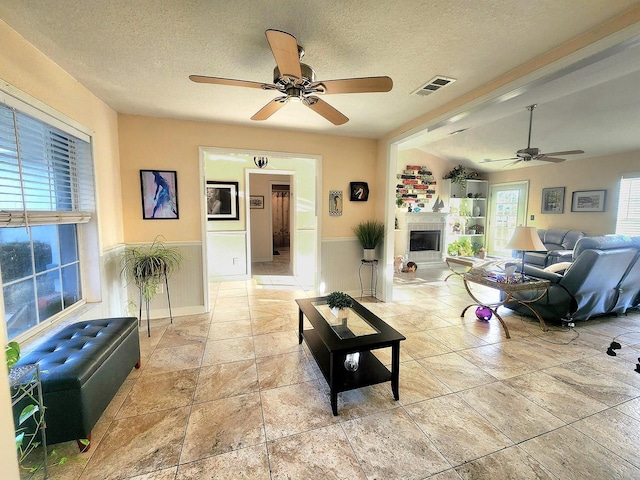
(137,55)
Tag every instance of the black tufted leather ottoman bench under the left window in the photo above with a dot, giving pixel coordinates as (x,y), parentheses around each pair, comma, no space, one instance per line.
(82,367)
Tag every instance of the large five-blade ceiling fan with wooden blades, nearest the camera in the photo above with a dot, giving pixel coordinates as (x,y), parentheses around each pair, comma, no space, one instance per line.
(296,81)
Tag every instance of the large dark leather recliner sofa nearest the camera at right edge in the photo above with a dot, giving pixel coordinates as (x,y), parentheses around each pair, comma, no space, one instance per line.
(604,278)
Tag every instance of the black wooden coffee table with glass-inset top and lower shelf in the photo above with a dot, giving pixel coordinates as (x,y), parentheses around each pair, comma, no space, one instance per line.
(331,340)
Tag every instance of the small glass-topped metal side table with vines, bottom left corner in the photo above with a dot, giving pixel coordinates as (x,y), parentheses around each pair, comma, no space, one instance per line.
(26,388)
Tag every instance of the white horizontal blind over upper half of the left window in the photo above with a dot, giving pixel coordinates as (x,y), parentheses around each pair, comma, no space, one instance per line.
(46,174)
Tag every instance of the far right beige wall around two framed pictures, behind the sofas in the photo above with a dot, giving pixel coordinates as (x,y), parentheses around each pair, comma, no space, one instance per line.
(599,173)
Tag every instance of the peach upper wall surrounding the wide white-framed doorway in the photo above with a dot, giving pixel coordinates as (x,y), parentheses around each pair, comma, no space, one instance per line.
(161,143)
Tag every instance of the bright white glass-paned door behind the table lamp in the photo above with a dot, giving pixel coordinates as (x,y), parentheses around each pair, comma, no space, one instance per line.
(508,209)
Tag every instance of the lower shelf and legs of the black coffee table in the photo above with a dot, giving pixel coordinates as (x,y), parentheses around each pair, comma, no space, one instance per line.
(371,371)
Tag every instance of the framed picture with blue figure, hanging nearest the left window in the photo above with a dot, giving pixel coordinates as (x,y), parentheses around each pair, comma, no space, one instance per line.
(159,189)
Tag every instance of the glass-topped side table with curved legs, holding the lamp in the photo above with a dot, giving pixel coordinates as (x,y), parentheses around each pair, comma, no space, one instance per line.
(531,285)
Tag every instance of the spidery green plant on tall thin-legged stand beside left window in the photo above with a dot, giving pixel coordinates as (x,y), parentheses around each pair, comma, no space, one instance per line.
(147,266)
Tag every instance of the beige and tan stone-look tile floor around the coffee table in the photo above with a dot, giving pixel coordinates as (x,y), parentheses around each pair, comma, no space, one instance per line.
(231,395)
